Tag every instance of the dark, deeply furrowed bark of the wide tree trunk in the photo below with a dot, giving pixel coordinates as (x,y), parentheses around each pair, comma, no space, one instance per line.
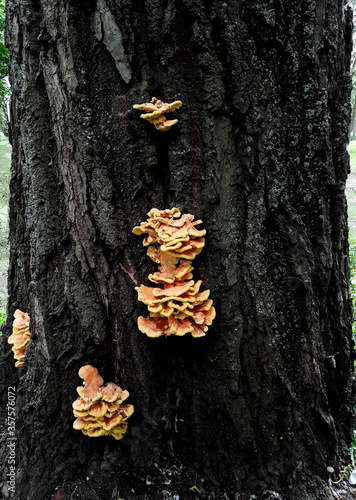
(261,405)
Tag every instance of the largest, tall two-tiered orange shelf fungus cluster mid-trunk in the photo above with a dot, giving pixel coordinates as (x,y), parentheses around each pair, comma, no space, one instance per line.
(176,304)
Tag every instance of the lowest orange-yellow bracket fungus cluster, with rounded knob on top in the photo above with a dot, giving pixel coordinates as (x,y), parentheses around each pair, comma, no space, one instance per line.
(99,409)
